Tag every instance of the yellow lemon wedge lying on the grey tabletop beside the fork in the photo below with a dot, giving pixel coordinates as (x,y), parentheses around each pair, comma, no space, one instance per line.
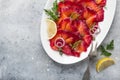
(104,63)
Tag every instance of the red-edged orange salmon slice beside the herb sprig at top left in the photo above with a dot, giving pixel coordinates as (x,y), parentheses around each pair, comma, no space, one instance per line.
(68,8)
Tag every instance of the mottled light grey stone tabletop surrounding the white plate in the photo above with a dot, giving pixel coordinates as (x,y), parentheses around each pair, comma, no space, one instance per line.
(22,56)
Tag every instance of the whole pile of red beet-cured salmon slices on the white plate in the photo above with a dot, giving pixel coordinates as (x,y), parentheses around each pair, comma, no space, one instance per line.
(76,20)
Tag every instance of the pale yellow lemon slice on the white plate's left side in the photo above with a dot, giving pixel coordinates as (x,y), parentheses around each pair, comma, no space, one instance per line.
(51,28)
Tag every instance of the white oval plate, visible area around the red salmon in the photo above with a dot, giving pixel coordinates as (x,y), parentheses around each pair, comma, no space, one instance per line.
(104,26)
